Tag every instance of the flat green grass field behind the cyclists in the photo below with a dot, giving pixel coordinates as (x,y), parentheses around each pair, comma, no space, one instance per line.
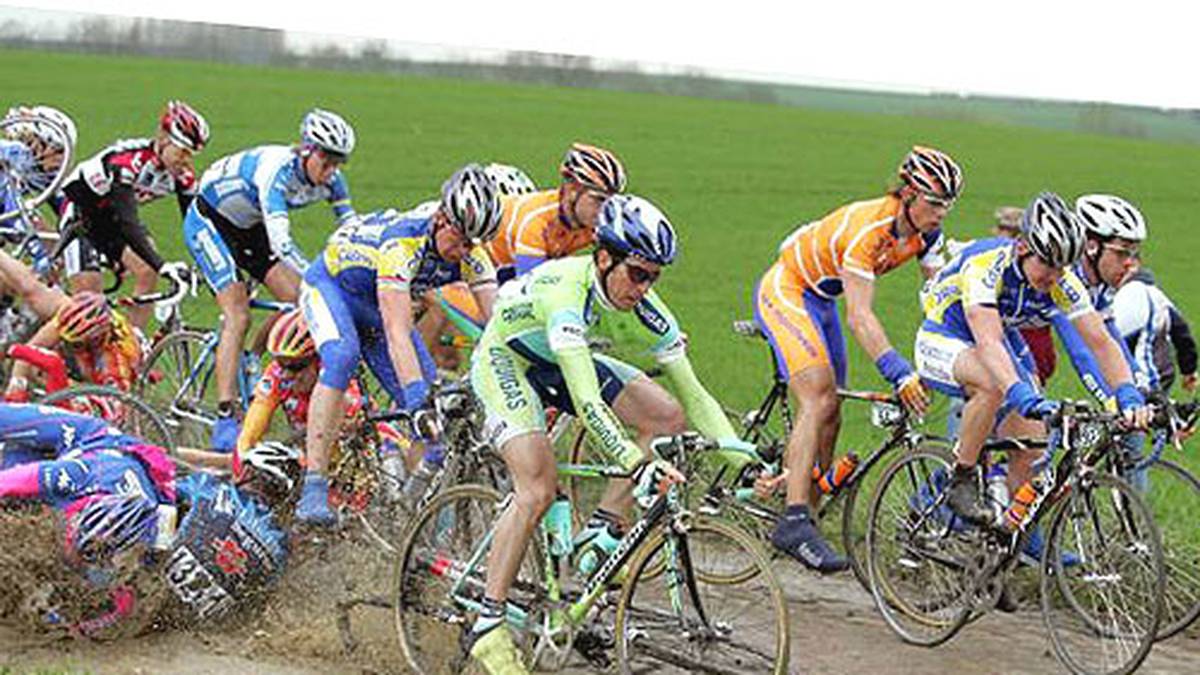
(735,178)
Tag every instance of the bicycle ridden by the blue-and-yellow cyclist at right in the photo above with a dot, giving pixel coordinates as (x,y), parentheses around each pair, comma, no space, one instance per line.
(932,574)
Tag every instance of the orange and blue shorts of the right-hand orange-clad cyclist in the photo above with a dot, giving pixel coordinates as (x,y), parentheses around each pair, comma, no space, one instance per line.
(803,328)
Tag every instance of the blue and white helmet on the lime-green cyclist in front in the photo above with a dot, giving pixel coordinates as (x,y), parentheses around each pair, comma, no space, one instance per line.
(633,226)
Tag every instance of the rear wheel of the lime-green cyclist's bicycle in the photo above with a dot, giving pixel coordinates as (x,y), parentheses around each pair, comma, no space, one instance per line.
(436,588)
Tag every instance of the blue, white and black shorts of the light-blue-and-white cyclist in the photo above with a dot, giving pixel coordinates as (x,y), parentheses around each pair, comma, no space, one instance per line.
(224,250)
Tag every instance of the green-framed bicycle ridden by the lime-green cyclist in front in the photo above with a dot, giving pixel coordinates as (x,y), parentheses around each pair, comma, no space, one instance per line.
(663,619)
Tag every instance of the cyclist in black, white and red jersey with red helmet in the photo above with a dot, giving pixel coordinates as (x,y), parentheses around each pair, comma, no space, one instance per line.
(104,195)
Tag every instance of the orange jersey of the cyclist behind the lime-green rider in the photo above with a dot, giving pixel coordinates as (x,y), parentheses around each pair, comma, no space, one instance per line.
(532,232)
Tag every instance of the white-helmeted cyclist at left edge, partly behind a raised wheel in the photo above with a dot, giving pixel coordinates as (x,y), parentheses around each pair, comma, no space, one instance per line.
(32,156)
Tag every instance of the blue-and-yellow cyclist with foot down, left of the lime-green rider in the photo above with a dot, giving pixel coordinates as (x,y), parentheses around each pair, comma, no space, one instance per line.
(361,297)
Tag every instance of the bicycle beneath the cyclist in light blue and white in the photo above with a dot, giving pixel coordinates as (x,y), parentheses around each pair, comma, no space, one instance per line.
(178,377)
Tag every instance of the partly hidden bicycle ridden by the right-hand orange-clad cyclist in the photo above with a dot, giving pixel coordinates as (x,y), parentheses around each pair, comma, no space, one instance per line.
(716,492)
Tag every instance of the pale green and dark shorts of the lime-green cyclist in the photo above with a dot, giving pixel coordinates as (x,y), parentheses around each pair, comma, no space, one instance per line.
(515,396)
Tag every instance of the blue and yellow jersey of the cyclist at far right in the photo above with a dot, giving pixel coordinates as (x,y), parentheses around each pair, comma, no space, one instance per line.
(988,273)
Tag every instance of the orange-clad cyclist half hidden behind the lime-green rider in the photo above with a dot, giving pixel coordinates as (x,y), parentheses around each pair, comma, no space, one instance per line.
(559,223)
